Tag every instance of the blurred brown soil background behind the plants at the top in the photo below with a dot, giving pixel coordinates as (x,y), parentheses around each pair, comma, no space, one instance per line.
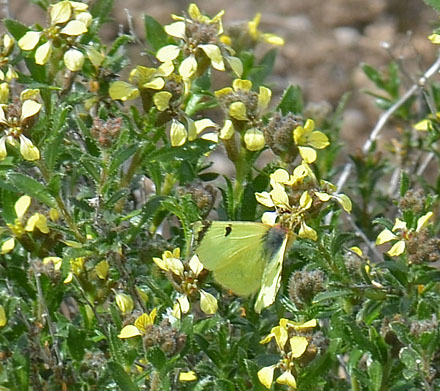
(326,41)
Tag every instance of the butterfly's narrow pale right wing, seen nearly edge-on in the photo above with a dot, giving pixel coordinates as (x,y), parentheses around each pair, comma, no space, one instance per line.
(271,280)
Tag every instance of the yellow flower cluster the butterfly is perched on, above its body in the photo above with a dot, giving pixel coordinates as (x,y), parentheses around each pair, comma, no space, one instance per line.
(296,197)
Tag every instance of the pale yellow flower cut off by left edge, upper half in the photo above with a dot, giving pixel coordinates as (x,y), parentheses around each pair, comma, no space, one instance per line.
(14,127)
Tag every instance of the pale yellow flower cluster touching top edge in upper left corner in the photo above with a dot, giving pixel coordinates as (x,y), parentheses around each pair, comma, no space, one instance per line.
(68,21)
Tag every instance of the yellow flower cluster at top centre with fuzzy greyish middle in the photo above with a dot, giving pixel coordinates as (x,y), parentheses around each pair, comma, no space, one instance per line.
(197,46)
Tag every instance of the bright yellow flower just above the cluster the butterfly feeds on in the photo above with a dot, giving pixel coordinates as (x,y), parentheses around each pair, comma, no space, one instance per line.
(307,139)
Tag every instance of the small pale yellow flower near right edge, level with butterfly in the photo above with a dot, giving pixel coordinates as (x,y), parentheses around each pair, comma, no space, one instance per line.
(399,233)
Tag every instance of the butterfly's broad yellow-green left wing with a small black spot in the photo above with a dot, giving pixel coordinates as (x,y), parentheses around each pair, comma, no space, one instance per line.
(234,251)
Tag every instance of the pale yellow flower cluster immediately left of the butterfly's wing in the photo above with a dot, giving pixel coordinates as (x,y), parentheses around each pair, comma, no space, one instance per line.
(185,278)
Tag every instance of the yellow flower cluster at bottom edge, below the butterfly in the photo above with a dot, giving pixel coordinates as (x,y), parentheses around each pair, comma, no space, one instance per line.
(292,340)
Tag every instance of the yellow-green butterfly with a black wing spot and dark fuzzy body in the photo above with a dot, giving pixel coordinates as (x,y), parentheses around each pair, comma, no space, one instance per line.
(245,257)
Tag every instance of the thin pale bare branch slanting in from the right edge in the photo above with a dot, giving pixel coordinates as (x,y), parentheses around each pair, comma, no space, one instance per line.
(383,119)
